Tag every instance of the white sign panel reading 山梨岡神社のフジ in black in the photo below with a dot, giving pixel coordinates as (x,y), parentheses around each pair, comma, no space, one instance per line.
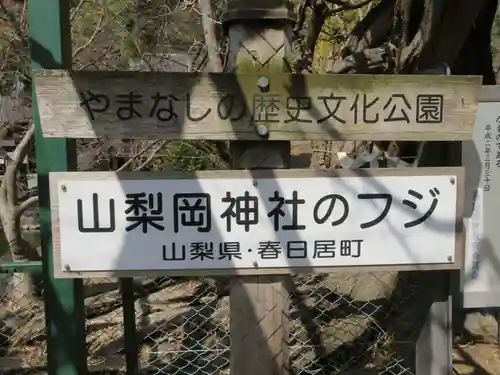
(107,224)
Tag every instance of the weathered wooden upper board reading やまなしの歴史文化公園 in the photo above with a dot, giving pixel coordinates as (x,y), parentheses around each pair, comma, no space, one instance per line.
(225,106)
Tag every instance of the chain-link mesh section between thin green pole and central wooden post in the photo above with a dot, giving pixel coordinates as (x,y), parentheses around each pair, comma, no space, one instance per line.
(186,330)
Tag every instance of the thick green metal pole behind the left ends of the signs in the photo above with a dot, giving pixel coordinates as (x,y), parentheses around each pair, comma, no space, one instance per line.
(64,306)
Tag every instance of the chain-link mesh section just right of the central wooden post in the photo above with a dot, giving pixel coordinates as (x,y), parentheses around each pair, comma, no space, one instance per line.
(347,322)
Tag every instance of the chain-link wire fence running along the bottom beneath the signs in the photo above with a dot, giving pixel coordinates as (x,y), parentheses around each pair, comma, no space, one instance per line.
(338,323)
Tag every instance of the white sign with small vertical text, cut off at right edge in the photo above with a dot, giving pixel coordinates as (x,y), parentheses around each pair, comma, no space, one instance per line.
(481,157)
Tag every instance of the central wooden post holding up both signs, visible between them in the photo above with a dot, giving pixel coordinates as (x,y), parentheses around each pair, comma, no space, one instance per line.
(258,305)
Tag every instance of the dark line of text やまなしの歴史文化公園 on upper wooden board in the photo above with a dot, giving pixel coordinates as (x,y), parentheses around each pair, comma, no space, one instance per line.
(267,108)
